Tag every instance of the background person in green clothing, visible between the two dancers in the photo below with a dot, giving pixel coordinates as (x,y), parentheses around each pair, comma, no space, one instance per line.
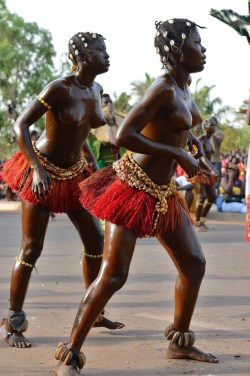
(102,139)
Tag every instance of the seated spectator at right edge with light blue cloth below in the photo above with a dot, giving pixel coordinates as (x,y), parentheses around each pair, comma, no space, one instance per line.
(232,192)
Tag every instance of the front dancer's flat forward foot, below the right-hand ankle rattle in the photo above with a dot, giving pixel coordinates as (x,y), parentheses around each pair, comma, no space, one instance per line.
(176,352)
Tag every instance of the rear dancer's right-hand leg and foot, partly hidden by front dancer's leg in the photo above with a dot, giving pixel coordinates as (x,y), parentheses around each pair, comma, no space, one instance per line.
(91,234)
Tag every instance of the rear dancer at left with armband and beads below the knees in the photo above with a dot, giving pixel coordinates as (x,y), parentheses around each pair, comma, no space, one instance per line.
(46,173)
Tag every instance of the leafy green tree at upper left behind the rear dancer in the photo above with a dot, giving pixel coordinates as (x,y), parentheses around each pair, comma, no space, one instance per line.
(26,65)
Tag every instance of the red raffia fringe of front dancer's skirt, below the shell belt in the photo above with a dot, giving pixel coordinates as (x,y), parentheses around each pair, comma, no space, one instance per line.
(109,198)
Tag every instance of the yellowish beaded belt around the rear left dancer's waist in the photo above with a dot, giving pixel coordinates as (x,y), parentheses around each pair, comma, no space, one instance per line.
(59,173)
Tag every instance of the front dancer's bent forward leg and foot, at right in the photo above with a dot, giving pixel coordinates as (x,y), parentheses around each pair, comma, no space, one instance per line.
(186,253)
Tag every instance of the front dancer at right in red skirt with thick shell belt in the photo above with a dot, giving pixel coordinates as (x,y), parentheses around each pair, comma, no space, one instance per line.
(137,196)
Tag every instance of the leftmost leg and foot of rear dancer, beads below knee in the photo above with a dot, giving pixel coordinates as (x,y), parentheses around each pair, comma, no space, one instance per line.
(34,225)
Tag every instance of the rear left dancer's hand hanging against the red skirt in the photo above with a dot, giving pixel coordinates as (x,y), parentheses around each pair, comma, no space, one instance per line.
(41,184)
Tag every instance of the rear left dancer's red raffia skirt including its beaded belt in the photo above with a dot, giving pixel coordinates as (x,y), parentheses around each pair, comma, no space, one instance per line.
(63,198)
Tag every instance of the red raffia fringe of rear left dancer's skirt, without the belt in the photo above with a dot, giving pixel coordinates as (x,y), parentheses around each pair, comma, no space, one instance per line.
(63,198)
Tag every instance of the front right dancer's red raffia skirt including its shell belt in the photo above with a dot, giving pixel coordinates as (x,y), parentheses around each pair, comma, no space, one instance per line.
(123,194)
